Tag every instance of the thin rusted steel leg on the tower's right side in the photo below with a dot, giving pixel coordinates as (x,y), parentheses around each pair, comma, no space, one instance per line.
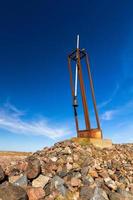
(92,92)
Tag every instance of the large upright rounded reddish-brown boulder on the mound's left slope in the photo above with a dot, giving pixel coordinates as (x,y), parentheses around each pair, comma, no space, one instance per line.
(34,168)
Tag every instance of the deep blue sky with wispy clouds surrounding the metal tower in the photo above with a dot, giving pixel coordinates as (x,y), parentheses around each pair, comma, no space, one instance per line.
(35,96)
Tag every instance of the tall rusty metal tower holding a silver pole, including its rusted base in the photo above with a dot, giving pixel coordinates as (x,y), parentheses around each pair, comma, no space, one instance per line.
(77,56)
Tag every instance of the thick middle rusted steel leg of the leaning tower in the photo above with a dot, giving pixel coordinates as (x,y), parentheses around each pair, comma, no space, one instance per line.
(85,108)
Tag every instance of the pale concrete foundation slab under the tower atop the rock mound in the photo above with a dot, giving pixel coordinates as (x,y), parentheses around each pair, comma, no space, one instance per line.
(101,143)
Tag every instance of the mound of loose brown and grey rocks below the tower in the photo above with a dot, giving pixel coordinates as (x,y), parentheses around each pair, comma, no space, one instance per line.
(69,171)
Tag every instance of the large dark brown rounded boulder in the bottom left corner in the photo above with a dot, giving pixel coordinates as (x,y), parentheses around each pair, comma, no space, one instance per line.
(13,193)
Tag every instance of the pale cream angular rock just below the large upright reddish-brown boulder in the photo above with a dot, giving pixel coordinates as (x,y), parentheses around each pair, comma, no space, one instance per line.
(40,181)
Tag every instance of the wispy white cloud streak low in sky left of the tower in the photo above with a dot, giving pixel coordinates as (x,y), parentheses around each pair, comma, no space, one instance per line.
(12,121)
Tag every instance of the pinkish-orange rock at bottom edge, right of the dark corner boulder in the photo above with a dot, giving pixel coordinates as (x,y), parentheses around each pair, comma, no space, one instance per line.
(35,193)
